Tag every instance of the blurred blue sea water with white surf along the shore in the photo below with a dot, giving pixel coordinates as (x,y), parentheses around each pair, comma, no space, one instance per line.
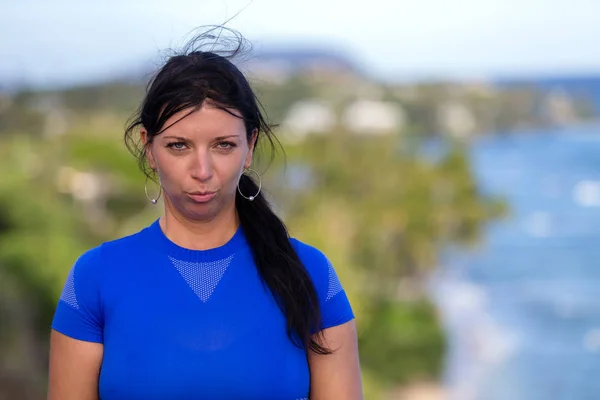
(523,312)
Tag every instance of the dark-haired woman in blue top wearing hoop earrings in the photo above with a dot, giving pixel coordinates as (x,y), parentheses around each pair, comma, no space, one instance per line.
(213,300)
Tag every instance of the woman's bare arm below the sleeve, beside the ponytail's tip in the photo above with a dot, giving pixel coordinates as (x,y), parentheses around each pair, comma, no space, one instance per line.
(337,376)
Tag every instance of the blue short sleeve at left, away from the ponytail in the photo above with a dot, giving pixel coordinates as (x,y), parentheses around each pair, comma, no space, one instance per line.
(78,313)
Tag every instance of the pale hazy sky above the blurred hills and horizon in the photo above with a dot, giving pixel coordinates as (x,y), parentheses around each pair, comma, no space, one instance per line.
(49,42)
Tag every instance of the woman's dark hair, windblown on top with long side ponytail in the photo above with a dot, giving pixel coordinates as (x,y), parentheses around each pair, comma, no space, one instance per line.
(185,82)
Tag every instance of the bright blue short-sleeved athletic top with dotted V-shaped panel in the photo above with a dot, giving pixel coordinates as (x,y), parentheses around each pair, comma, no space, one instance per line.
(190,324)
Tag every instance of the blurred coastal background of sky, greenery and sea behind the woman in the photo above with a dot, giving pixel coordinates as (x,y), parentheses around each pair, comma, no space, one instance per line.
(443,154)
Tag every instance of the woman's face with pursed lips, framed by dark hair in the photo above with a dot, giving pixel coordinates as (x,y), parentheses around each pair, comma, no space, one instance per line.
(199,161)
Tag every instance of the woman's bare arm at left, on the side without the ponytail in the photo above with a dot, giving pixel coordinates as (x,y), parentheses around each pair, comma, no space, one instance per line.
(74,368)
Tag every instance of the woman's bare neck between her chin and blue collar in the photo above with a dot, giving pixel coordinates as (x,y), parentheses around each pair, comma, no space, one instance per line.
(199,235)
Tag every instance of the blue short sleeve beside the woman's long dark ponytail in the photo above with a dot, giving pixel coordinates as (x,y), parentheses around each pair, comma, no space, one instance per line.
(335,306)
